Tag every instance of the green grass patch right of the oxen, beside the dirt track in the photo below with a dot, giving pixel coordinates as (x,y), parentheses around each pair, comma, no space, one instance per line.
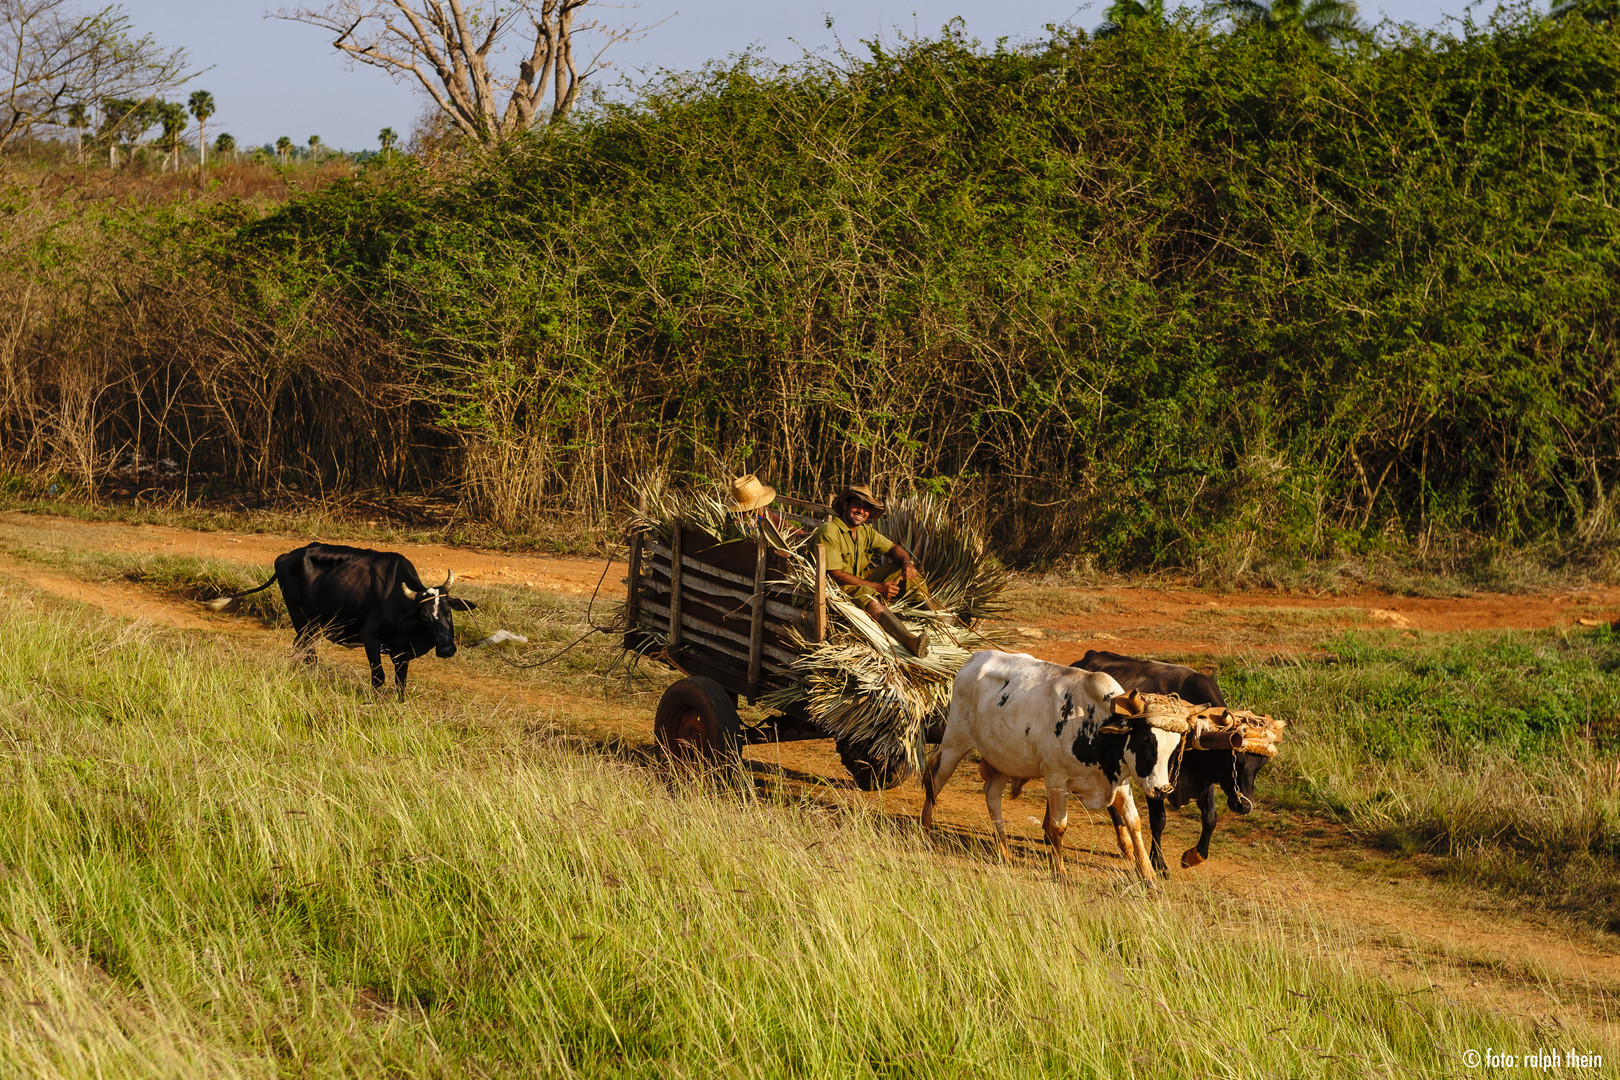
(1498,750)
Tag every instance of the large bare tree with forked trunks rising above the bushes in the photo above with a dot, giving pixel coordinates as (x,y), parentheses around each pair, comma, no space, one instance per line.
(448,46)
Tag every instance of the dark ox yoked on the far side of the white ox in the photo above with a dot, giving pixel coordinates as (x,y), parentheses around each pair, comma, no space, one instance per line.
(1201,770)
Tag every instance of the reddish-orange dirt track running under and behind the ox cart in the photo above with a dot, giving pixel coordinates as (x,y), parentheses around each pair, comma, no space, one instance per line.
(1404,922)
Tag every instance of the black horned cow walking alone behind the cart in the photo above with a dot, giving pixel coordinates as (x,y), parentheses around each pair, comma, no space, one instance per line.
(370,598)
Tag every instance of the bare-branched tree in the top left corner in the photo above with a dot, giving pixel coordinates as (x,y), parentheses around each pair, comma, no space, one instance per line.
(53,57)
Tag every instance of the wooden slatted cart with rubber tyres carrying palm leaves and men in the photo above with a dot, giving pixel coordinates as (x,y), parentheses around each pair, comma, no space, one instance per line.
(725,614)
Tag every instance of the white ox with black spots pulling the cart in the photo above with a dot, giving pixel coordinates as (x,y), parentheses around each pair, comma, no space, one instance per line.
(1031,720)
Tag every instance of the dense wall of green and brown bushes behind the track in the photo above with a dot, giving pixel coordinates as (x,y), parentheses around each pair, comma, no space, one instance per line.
(1177,297)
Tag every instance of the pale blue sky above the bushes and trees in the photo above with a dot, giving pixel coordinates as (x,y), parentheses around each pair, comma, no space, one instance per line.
(273,79)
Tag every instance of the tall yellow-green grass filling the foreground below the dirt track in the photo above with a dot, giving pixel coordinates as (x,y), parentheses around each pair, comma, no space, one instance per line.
(218,867)
